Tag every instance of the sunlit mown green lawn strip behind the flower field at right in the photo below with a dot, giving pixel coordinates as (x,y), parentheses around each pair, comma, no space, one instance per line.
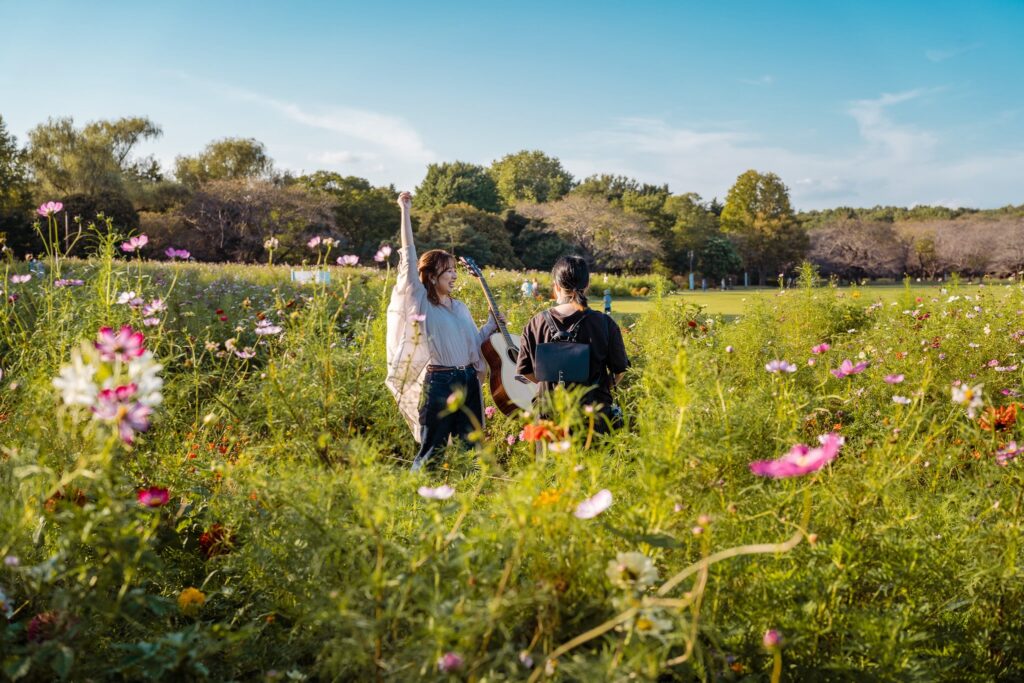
(734,304)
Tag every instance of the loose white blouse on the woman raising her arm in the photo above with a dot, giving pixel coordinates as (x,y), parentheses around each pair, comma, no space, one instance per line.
(446,337)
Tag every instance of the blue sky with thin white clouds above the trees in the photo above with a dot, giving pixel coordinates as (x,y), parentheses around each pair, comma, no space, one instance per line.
(851,104)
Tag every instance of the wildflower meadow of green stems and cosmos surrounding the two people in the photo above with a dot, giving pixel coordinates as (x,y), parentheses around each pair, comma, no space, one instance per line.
(204,478)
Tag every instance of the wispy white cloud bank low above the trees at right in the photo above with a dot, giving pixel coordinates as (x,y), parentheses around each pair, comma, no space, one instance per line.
(890,163)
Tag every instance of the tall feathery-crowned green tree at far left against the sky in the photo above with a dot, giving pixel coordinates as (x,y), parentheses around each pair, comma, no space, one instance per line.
(96,159)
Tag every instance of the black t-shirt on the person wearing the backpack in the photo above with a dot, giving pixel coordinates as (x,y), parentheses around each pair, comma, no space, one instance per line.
(608,352)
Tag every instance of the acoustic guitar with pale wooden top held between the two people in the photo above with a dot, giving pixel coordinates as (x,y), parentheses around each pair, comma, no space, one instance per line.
(510,391)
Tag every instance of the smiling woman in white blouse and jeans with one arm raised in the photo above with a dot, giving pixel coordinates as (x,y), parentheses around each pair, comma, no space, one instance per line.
(434,349)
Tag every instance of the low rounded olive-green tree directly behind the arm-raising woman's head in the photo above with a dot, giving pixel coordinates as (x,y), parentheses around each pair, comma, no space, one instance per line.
(468,232)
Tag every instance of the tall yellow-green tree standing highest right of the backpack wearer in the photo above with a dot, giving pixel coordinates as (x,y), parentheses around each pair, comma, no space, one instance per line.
(760,220)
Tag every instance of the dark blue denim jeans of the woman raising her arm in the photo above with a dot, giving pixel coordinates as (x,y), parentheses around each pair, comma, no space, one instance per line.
(437,424)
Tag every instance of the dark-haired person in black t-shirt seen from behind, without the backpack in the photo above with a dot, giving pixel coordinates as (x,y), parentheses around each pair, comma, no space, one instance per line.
(571,279)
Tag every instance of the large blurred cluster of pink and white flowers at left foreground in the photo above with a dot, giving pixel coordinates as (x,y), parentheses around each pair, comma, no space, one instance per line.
(116,378)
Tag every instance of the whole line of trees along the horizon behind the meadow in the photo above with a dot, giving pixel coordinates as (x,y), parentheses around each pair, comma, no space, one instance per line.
(523,211)
